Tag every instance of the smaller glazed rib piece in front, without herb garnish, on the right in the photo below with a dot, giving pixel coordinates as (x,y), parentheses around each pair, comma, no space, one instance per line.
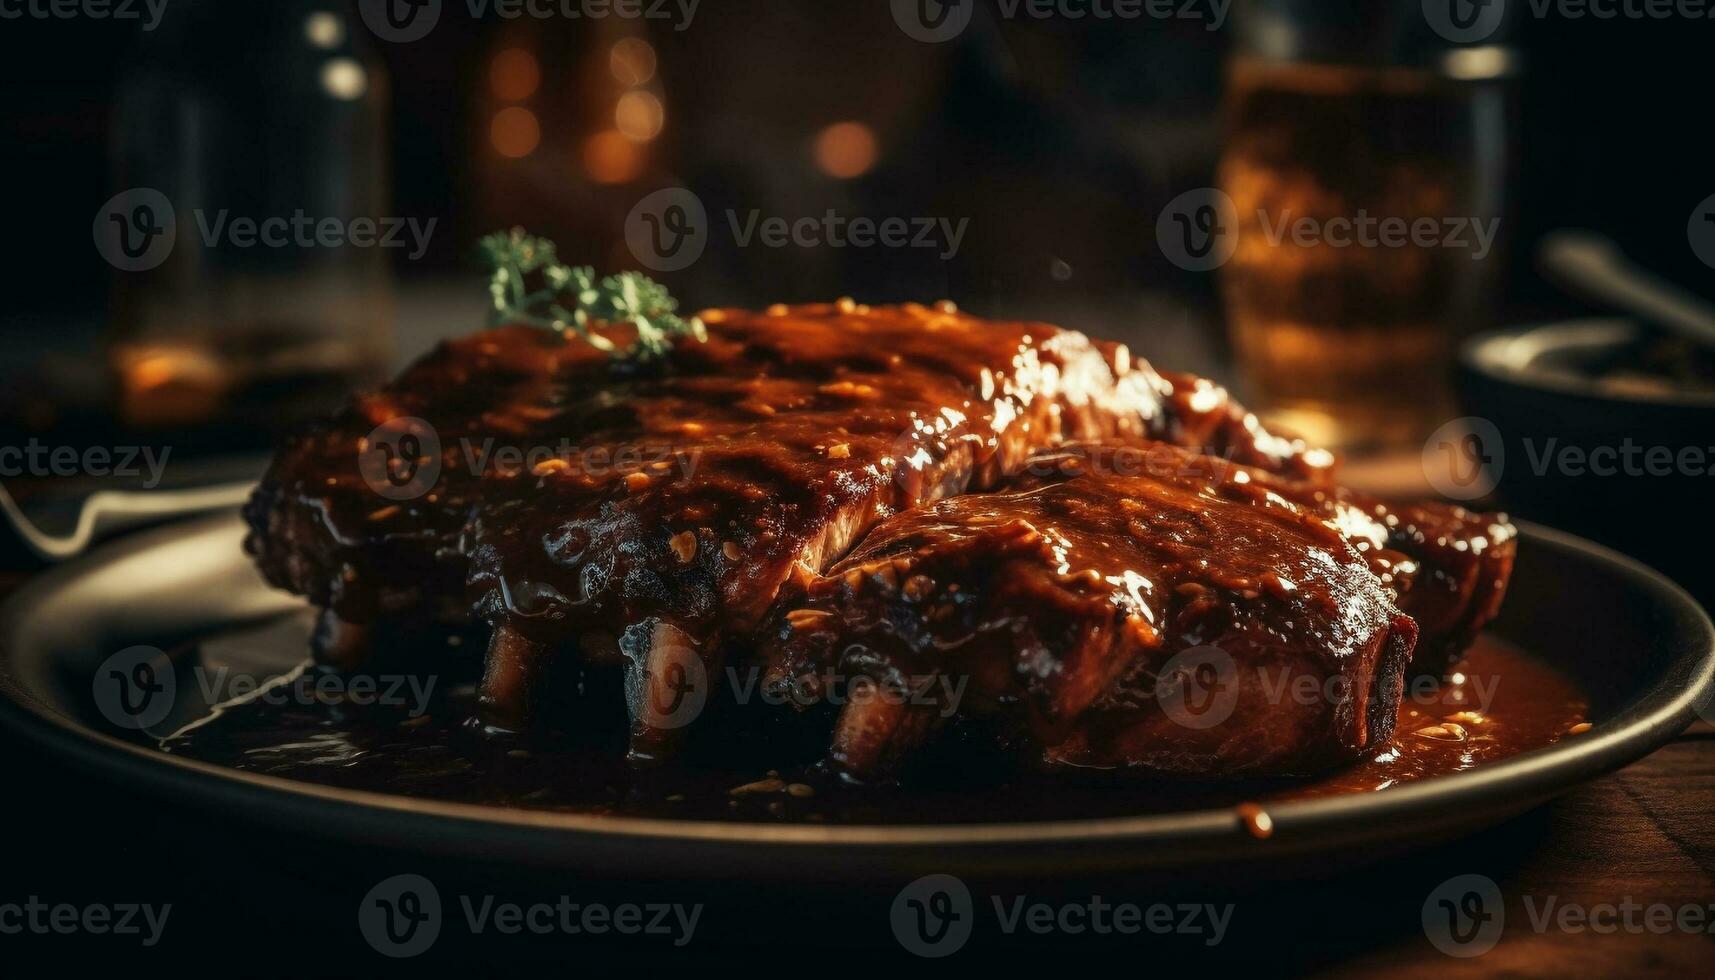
(1165,619)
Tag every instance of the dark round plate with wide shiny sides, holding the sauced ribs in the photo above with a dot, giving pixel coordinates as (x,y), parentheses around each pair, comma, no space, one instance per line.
(1628,636)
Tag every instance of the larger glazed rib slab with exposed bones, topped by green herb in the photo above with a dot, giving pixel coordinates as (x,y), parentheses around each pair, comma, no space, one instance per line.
(680,499)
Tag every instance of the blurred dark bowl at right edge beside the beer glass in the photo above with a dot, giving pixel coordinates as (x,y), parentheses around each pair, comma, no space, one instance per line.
(1604,430)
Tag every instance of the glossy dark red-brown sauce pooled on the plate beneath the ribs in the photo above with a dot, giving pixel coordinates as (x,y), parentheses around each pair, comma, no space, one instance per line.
(762,766)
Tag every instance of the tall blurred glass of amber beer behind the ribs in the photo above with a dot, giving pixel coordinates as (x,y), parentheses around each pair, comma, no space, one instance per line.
(1368,185)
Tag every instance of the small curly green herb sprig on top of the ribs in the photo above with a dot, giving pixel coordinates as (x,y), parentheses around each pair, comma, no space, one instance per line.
(572,299)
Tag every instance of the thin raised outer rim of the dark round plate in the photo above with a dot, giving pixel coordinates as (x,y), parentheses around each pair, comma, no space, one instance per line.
(1639,729)
